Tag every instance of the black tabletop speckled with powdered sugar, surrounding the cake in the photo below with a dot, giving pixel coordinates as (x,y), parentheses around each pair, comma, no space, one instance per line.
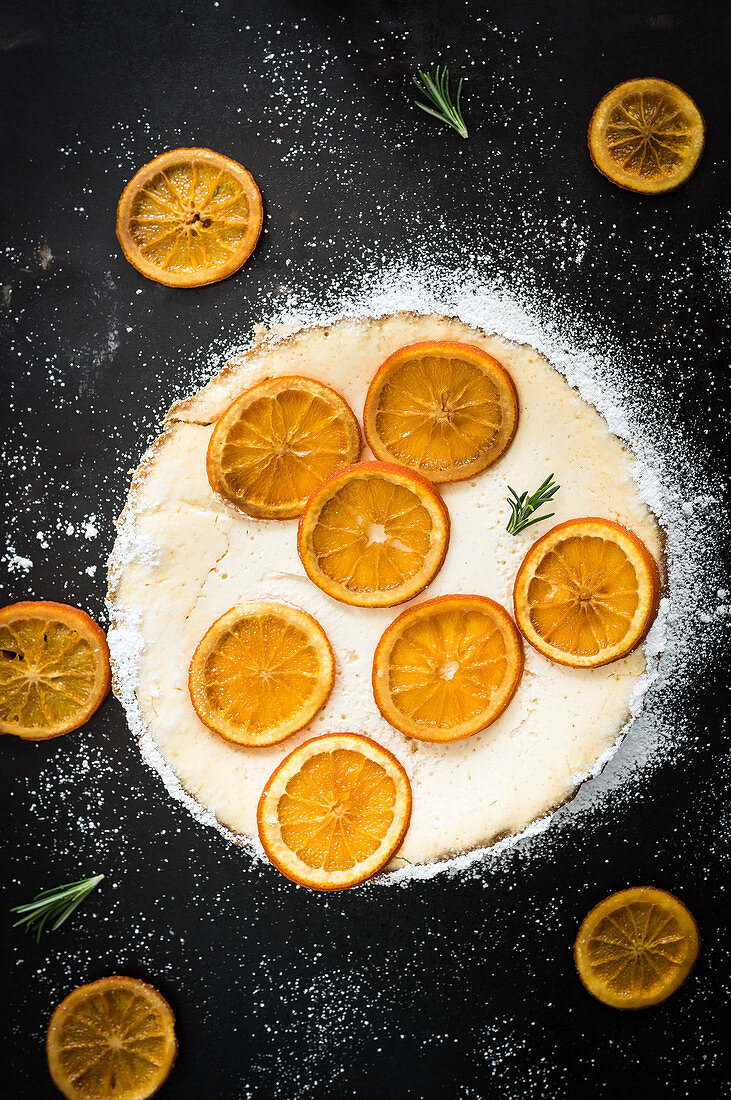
(451,988)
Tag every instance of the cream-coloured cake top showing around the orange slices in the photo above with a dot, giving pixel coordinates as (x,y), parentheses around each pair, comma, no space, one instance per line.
(184,557)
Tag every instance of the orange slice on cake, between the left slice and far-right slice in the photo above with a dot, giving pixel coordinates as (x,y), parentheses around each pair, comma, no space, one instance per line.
(449,668)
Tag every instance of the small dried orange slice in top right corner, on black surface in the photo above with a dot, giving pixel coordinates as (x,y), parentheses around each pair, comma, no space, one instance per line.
(647,136)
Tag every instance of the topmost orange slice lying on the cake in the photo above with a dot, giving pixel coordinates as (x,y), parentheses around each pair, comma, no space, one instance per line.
(448,411)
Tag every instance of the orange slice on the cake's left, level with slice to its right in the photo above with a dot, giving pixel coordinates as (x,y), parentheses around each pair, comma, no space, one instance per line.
(261,674)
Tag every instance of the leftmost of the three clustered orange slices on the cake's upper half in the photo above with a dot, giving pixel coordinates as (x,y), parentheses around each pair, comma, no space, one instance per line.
(278,443)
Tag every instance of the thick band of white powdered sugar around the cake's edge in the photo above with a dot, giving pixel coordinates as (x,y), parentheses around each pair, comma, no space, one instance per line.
(664,472)
